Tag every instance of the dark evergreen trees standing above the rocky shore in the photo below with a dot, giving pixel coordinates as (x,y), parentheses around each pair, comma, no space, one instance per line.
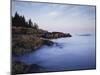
(20,21)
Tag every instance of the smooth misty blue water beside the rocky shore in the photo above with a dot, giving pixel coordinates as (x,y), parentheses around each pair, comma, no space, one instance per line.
(77,52)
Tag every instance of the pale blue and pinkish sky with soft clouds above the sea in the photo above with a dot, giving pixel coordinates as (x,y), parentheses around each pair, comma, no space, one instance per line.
(58,17)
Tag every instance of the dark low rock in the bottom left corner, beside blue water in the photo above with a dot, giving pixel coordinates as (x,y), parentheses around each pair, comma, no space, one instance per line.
(22,68)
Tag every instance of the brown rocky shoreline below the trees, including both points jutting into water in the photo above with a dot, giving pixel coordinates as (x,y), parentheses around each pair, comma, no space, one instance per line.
(26,40)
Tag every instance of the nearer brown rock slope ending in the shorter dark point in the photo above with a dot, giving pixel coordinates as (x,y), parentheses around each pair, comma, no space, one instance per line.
(22,44)
